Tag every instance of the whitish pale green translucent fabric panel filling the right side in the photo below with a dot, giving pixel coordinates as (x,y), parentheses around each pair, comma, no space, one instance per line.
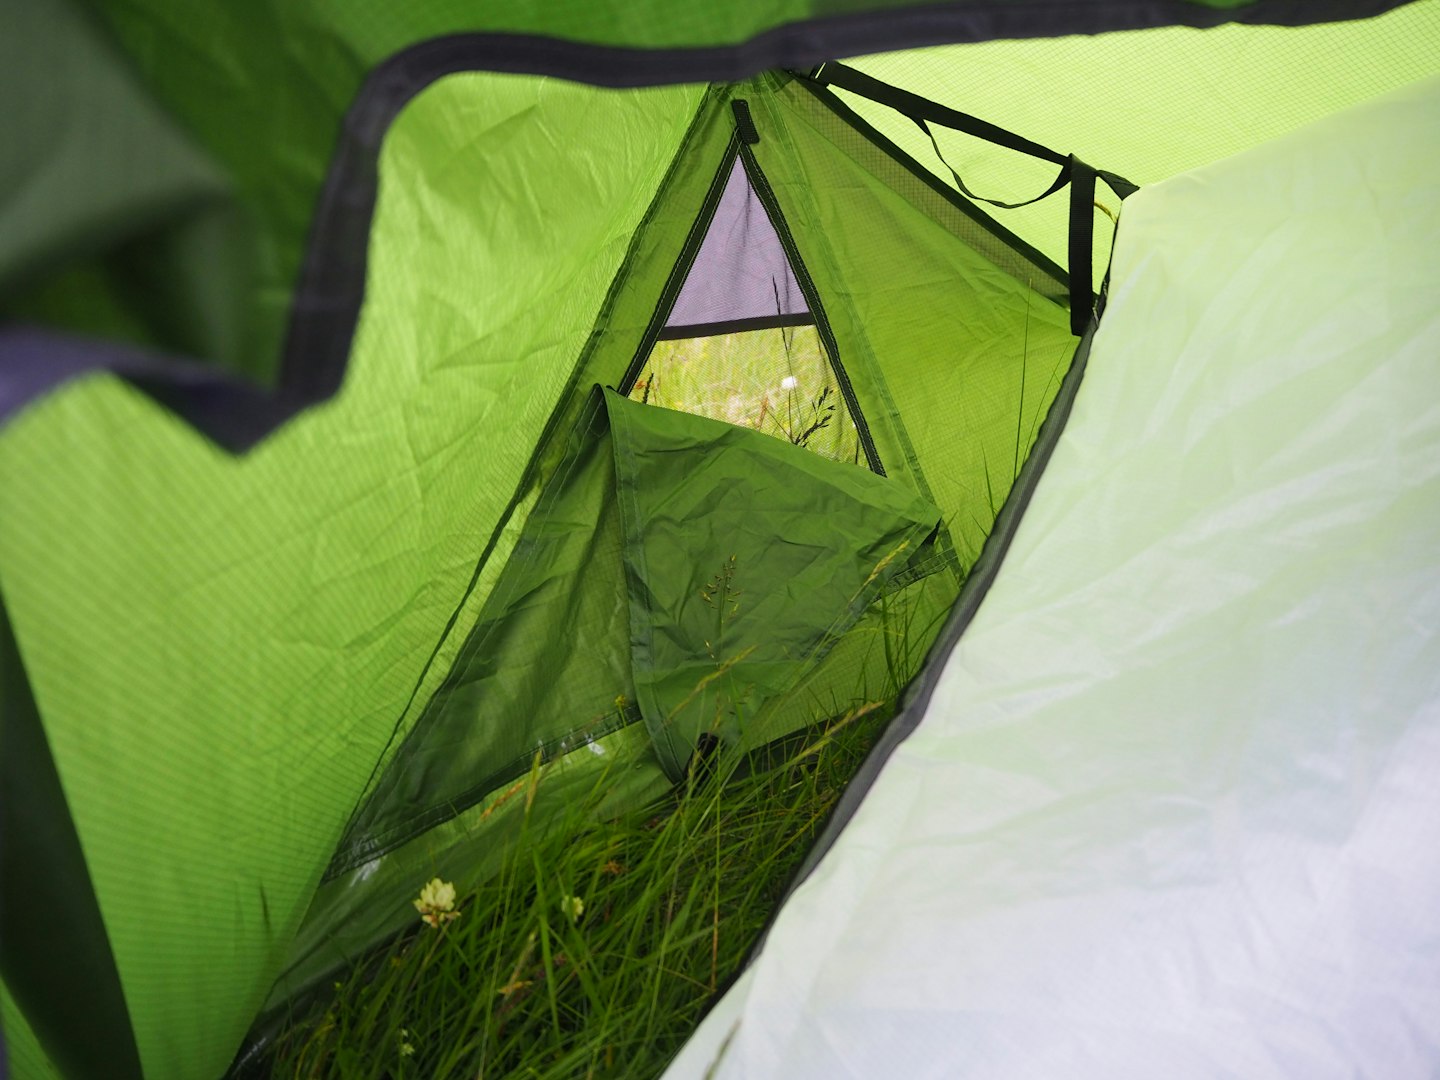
(1174,798)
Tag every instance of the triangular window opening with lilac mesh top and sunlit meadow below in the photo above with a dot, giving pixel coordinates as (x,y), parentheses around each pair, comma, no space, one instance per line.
(741,343)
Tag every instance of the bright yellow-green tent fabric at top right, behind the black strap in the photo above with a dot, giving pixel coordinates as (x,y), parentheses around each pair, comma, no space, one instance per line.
(1146,104)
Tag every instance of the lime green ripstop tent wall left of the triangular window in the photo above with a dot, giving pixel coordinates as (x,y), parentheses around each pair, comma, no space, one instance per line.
(222,646)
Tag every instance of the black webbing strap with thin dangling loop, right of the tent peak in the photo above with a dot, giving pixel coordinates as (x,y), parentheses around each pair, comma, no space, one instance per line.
(1074,172)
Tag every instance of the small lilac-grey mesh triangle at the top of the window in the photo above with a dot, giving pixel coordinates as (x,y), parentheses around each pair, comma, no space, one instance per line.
(741,270)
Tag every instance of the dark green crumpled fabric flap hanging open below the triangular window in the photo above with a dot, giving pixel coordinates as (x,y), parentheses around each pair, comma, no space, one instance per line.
(745,559)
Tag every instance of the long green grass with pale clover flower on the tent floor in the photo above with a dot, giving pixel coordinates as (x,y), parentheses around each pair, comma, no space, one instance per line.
(673,901)
